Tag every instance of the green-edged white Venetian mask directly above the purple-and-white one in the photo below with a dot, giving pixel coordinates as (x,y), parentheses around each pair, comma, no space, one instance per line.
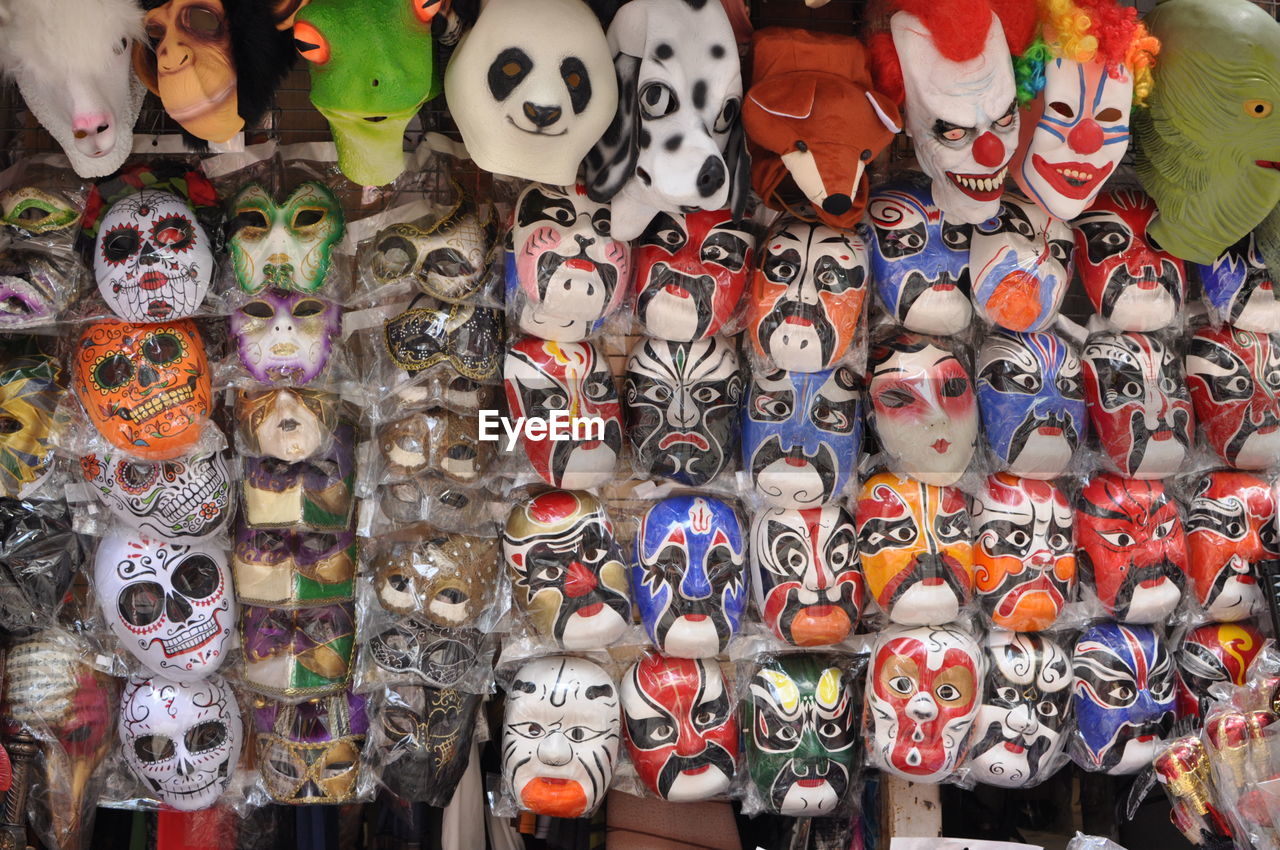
(284,246)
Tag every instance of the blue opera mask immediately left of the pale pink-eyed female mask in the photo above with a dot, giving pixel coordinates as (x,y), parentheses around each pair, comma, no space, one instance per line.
(802,433)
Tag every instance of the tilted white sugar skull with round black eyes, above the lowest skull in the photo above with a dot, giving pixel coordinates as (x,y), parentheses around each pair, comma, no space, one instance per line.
(171,606)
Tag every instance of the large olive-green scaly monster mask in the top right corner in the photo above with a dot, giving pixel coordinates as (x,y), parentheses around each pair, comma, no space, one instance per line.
(1208,144)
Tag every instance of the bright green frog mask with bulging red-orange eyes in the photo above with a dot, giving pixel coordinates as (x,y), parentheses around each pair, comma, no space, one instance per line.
(372,70)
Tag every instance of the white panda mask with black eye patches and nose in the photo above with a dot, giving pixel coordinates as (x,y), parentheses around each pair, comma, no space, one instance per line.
(532,88)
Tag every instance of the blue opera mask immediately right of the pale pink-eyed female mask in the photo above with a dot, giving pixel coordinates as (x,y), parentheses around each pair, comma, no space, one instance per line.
(1032,403)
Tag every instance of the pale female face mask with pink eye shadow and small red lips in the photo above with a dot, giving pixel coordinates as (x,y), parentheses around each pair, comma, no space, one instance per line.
(924,409)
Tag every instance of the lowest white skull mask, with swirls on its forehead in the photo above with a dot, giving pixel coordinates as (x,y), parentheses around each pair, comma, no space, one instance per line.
(181,739)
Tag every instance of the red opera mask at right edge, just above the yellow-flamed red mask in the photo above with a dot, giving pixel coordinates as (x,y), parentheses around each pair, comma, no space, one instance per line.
(1231,529)
